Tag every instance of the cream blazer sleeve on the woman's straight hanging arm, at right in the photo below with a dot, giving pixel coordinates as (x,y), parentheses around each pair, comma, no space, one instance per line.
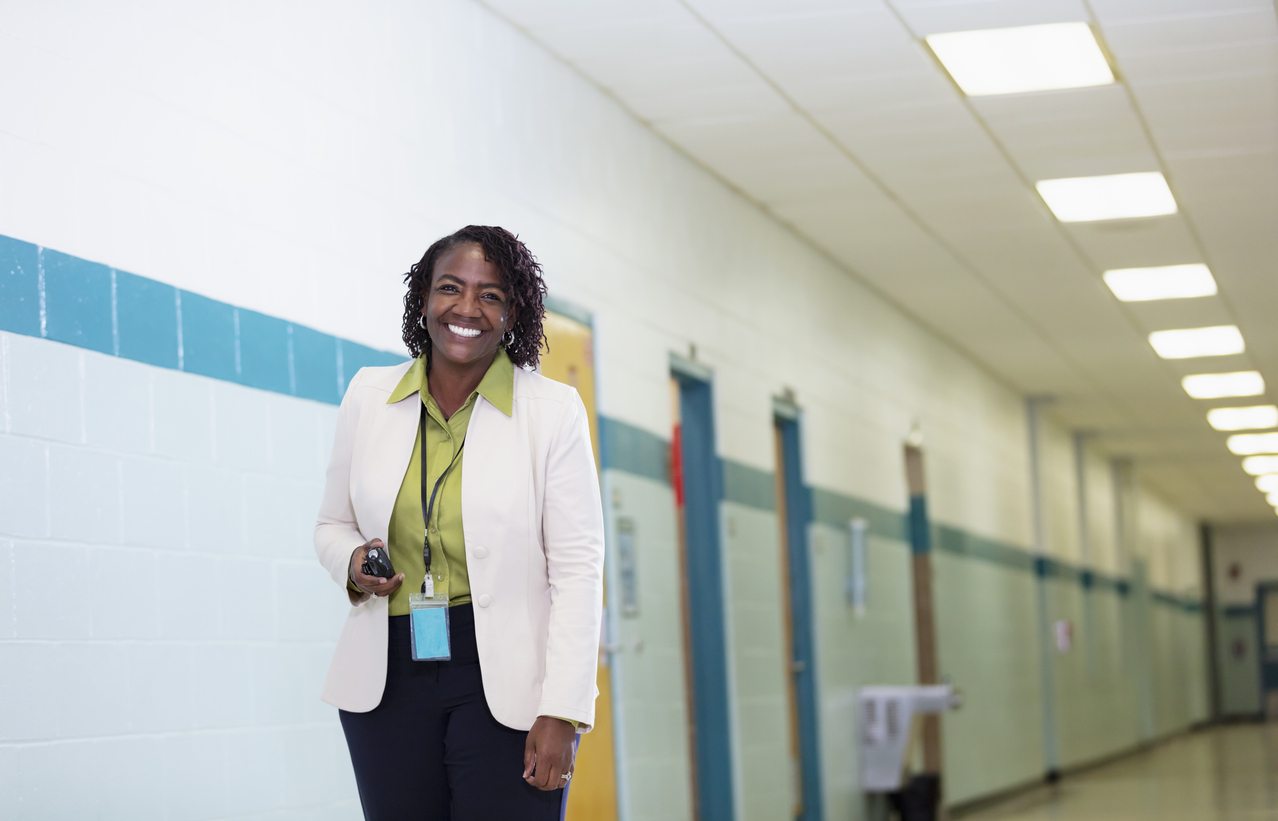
(573,539)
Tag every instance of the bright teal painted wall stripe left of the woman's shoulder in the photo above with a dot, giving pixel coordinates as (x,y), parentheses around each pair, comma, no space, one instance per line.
(54,296)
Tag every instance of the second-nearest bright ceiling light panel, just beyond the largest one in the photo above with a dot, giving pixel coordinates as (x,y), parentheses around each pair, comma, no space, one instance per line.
(1114,198)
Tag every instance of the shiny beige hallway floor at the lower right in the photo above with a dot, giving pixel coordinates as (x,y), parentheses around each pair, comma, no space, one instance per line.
(1222,774)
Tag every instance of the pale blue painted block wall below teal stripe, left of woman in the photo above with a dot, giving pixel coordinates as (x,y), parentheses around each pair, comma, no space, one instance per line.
(164,626)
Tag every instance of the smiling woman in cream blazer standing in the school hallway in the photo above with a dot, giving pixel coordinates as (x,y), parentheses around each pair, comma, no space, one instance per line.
(472,658)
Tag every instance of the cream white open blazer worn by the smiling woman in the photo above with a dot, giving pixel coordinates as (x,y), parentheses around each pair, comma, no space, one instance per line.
(534,526)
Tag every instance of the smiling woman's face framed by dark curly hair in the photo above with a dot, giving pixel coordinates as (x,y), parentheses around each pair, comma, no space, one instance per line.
(466,309)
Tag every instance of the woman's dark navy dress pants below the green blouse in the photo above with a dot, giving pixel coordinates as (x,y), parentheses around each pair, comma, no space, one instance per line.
(431,750)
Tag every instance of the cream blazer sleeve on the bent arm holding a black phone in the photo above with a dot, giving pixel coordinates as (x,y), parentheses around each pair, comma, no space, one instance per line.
(337,534)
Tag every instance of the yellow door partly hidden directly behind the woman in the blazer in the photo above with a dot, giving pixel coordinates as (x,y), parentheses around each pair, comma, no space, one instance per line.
(594,796)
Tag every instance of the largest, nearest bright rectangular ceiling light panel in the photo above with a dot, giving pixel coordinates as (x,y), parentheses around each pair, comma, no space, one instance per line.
(1026,58)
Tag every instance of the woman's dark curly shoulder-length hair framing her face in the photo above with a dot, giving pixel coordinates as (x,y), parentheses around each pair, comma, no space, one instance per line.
(521,278)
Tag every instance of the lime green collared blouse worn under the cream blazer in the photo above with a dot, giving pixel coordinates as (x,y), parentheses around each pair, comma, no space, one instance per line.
(444,438)
